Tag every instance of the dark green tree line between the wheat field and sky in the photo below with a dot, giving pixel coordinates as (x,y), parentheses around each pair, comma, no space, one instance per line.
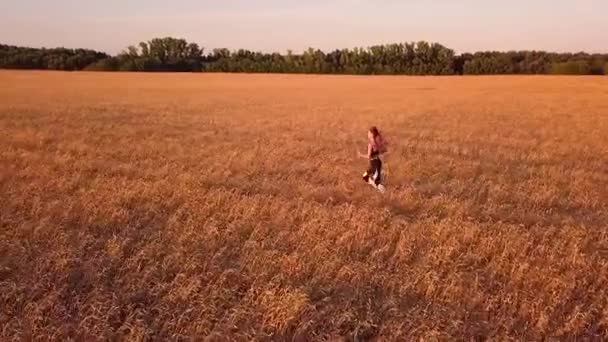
(419,58)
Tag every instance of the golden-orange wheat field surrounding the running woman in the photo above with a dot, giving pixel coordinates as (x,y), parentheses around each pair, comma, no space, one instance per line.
(231,207)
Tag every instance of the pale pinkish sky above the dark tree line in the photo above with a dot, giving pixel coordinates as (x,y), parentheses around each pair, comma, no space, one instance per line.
(278,25)
